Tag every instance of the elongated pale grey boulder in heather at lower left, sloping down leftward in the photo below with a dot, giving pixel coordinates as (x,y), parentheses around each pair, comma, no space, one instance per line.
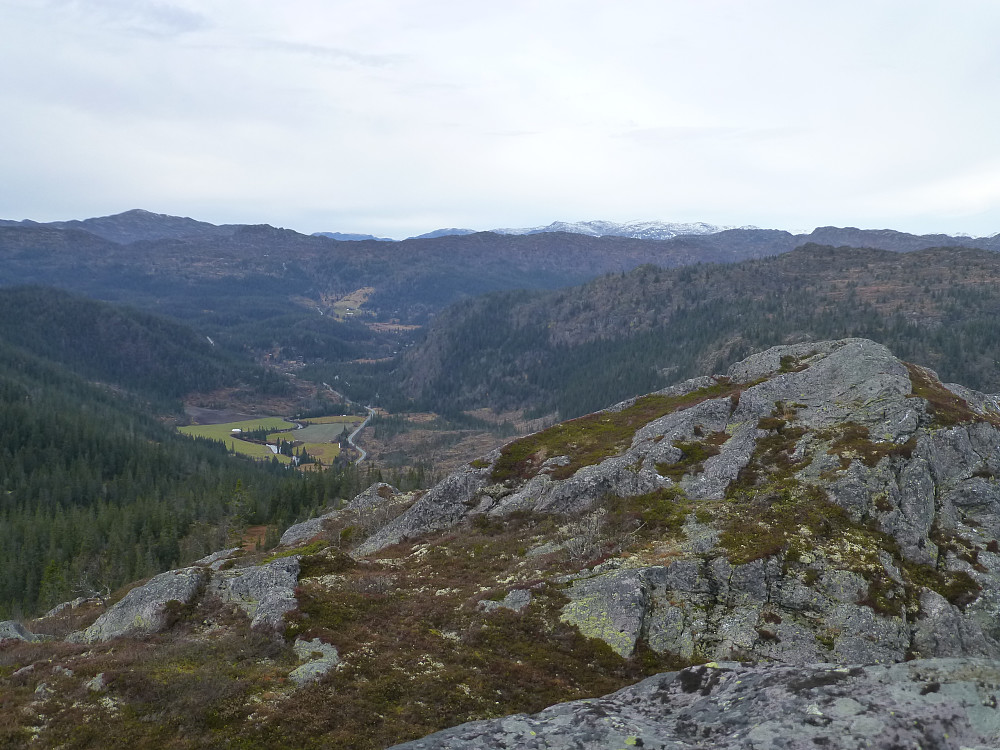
(144,609)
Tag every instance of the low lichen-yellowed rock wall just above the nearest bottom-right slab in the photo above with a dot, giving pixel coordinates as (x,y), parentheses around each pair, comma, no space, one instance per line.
(710,609)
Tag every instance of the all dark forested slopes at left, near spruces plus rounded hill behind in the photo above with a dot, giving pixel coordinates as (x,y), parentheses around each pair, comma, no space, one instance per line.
(94,490)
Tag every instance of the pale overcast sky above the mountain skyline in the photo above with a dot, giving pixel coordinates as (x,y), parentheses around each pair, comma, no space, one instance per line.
(397,117)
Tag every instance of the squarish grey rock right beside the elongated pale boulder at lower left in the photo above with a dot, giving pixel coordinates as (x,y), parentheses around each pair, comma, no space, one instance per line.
(264,592)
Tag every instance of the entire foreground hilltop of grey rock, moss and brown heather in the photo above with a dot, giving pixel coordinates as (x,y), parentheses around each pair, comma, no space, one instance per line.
(819,503)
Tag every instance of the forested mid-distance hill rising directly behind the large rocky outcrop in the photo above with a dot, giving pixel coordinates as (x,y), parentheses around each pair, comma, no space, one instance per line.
(577,350)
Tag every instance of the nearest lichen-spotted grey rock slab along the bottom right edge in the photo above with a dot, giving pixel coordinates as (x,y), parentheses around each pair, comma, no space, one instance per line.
(940,703)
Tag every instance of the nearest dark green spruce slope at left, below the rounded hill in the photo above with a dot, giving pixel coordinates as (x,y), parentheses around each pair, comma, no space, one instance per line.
(95,492)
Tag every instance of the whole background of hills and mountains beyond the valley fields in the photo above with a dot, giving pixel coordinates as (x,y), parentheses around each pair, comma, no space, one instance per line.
(329,303)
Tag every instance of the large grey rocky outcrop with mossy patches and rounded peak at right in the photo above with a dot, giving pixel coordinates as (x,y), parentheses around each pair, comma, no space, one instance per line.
(842,506)
